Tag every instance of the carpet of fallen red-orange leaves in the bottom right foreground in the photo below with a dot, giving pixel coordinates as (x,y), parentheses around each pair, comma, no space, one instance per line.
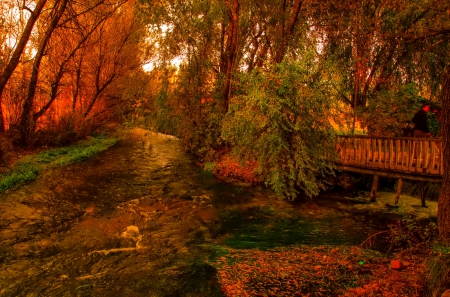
(316,271)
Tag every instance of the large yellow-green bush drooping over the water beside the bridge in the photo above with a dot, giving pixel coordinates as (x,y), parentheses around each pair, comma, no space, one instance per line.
(282,122)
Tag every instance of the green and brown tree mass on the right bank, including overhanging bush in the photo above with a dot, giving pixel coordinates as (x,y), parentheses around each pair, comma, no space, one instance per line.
(249,69)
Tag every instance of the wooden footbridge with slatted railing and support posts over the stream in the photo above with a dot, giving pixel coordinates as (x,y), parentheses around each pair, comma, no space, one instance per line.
(418,159)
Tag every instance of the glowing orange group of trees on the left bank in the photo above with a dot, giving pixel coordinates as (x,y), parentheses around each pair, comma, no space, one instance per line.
(63,63)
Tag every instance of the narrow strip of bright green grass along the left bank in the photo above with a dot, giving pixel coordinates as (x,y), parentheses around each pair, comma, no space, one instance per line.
(28,168)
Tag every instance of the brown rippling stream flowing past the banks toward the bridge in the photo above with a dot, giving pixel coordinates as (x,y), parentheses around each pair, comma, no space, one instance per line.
(141,219)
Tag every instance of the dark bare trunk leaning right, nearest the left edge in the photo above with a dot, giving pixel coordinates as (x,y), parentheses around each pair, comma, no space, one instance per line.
(15,58)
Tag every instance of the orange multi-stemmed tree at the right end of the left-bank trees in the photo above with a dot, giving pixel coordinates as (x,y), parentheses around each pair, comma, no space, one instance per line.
(109,60)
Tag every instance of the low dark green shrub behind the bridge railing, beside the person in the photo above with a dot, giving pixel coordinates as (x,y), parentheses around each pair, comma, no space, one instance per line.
(391,110)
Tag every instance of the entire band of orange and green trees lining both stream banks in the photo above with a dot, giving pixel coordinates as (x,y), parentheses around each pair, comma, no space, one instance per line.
(267,81)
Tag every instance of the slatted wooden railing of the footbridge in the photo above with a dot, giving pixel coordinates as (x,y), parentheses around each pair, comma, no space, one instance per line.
(405,154)
